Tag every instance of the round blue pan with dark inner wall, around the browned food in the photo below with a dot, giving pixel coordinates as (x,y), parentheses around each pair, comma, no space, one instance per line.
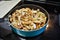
(33,32)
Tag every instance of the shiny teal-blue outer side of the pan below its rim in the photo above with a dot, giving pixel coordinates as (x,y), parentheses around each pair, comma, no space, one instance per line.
(29,33)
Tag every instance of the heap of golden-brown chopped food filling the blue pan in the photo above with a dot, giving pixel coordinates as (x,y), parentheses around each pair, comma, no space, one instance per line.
(28,19)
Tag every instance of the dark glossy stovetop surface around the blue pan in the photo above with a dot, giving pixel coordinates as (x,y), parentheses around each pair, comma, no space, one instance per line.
(51,33)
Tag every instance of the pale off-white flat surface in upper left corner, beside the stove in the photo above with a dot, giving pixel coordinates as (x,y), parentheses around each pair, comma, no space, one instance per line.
(6,6)
